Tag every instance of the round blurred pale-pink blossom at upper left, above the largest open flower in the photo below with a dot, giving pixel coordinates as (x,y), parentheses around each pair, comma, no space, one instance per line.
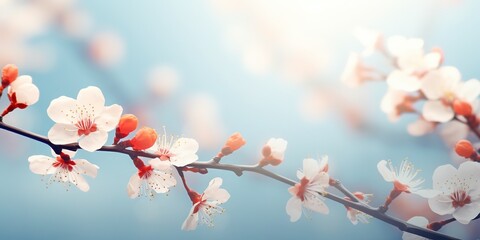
(106,49)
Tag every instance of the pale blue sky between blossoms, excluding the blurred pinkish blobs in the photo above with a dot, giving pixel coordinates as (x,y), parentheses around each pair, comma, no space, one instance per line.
(190,36)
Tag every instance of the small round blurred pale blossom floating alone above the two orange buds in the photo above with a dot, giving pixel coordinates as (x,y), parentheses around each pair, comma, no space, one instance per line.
(163,81)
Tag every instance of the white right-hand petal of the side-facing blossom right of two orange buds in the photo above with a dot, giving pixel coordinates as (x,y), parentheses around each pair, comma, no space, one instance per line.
(184,152)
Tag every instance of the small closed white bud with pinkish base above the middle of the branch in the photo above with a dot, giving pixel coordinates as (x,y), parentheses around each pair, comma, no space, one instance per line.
(273,152)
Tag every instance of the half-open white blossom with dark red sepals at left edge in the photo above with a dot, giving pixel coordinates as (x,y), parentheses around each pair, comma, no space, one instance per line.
(21,93)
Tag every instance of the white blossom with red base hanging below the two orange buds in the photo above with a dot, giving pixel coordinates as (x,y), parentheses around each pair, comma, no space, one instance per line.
(150,179)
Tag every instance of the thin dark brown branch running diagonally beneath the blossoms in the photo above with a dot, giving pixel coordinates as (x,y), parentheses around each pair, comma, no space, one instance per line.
(239,170)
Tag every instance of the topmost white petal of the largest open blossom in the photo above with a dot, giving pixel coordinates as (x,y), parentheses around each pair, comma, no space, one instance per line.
(92,98)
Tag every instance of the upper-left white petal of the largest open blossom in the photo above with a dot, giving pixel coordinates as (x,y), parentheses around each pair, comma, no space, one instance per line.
(60,110)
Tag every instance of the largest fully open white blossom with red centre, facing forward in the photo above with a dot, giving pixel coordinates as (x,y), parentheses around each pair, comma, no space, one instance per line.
(86,119)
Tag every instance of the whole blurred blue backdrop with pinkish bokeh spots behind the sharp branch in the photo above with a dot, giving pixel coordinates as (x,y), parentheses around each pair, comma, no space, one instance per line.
(205,69)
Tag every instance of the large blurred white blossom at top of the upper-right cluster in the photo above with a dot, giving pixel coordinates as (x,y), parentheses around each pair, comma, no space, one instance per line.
(411,61)
